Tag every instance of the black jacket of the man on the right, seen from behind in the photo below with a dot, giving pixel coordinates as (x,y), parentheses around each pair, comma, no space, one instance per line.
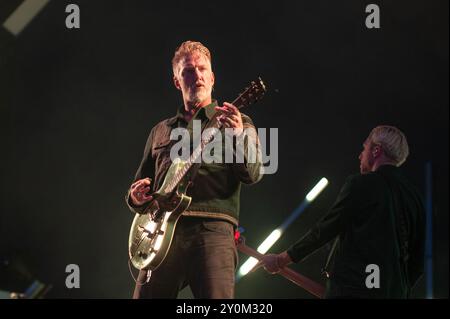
(364,218)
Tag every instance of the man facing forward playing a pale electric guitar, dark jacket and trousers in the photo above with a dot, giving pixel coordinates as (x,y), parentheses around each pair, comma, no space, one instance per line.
(203,253)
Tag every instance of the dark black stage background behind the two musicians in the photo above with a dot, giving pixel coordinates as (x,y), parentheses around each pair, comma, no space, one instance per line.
(76,107)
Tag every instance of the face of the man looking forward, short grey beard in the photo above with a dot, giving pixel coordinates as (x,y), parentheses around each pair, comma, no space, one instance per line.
(194,78)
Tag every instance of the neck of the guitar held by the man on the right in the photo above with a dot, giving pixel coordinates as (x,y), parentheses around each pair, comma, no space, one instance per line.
(309,285)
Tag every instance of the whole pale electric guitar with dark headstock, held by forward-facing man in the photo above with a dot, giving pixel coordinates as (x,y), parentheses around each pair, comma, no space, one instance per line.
(152,232)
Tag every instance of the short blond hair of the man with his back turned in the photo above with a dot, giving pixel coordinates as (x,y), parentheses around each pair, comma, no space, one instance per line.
(393,142)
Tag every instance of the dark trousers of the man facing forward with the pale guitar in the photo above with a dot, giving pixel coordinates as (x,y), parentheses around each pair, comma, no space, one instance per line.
(203,255)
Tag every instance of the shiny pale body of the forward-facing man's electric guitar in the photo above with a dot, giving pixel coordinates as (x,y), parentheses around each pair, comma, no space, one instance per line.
(151,233)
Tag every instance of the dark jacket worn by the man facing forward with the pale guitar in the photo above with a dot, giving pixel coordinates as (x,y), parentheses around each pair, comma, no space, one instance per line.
(216,189)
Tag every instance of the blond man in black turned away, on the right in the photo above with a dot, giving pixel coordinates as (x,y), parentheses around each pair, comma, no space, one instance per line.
(377,222)
